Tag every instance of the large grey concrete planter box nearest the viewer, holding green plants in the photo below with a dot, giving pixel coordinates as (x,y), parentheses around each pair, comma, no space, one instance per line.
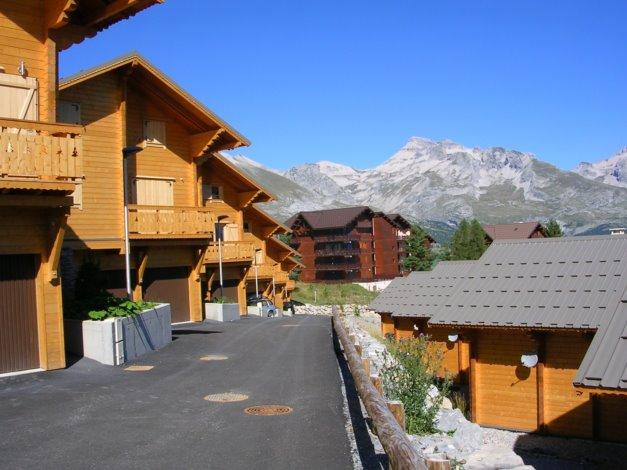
(115,341)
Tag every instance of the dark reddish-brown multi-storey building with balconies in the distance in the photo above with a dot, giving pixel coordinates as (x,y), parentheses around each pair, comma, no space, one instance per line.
(352,244)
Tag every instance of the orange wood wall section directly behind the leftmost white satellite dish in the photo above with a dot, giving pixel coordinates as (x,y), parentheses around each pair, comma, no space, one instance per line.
(506,391)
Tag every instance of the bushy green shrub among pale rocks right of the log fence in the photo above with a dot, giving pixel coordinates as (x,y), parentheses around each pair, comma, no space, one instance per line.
(409,371)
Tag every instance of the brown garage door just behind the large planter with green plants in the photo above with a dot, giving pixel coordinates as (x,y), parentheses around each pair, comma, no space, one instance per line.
(169,285)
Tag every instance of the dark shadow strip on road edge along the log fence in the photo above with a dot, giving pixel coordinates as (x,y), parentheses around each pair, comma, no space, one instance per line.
(370,460)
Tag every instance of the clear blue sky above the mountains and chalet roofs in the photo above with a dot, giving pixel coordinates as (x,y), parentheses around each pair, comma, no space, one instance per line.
(351,81)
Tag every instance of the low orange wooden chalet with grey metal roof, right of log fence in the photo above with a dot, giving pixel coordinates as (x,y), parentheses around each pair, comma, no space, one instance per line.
(534,329)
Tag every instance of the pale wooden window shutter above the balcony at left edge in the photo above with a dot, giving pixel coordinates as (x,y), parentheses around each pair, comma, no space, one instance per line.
(19,98)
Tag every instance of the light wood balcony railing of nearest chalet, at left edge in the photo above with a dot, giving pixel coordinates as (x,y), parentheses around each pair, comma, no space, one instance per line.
(37,151)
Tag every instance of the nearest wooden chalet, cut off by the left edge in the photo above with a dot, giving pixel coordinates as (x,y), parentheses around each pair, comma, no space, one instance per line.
(41,167)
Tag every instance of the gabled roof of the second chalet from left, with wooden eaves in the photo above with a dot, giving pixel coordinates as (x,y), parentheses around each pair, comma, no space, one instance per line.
(150,77)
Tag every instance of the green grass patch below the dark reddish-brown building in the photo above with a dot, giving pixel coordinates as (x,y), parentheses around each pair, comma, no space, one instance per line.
(332,294)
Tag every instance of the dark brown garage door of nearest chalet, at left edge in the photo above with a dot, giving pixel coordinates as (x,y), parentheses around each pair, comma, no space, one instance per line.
(19,349)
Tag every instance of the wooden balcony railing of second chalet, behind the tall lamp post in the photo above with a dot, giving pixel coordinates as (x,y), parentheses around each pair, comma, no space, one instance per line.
(170,222)
